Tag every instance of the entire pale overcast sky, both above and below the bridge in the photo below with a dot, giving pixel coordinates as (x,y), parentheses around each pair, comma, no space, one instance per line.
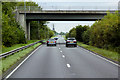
(65,26)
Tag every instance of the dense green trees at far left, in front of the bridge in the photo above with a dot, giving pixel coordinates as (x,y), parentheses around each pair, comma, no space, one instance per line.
(12,32)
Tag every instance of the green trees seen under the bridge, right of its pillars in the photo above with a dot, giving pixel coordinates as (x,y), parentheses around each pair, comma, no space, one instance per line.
(39,30)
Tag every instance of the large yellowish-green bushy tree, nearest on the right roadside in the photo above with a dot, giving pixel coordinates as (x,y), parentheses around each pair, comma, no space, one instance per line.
(106,32)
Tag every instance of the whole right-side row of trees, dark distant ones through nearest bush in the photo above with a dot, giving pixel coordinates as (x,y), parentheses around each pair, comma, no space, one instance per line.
(104,33)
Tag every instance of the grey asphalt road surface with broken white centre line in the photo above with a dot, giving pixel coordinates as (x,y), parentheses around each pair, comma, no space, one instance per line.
(63,62)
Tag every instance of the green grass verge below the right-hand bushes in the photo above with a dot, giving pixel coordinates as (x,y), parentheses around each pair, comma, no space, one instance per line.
(106,53)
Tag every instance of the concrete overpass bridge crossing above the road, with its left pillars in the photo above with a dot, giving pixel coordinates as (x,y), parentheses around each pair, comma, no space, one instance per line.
(25,15)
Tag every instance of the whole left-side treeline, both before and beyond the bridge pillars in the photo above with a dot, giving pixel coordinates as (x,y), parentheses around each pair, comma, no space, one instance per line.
(12,32)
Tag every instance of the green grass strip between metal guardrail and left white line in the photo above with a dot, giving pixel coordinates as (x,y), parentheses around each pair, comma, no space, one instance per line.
(9,61)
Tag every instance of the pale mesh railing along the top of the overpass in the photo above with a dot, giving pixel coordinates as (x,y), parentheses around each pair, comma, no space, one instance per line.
(80,8)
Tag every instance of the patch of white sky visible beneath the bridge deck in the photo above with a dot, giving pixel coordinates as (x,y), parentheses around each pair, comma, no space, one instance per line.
(65,26)
